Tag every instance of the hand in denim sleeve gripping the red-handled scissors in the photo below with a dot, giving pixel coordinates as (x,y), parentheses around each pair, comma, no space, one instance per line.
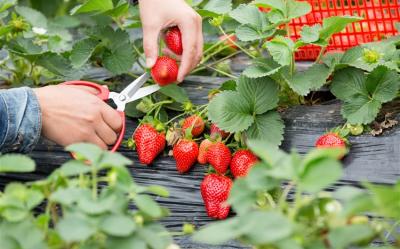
(72,114)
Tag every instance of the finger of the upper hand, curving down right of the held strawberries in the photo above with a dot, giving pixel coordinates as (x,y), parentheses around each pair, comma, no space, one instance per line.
(192,44)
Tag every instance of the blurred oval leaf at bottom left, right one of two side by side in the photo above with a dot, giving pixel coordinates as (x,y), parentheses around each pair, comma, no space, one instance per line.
(118,225)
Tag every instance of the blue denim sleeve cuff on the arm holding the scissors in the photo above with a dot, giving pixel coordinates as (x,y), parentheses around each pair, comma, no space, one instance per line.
(20,120)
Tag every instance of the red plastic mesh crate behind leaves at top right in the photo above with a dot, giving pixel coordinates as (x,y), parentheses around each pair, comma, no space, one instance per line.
(379,21)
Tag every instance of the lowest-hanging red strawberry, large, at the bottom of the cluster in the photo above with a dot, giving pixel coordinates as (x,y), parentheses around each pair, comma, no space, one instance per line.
(215,191)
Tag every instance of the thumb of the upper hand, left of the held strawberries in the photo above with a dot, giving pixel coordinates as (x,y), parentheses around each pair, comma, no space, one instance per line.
(150,45)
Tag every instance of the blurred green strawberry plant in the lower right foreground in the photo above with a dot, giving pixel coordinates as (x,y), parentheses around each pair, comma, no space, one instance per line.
(282,203)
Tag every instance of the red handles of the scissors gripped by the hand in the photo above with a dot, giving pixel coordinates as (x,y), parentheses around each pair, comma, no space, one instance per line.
(103,94)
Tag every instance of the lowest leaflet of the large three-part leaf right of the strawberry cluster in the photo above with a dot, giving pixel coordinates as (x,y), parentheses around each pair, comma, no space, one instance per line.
(268,127)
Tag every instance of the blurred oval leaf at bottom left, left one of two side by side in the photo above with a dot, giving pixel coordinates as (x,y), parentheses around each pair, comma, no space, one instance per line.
(75,228)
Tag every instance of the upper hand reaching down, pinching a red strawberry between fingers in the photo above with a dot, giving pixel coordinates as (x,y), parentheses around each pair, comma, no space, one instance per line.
(157,15)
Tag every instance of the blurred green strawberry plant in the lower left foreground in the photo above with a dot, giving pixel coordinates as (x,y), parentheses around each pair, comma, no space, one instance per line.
(81,206)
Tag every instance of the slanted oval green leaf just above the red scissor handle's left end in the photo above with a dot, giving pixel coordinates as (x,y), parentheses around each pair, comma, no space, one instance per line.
(82,51)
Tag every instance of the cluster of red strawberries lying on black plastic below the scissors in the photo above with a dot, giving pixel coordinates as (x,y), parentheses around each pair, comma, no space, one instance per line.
(216,186)
